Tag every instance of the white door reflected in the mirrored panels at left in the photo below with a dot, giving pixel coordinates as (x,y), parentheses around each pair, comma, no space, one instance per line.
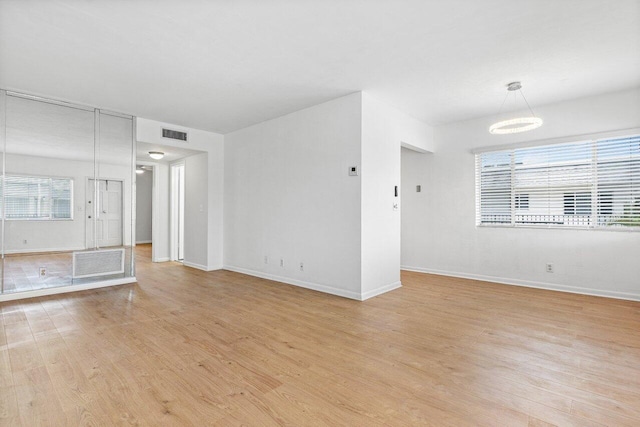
(104,213)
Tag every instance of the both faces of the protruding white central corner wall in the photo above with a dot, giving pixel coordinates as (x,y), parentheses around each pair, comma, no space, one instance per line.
(288,195)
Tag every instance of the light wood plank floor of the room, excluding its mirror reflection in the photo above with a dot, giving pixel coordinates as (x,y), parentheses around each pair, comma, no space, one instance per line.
(185,347)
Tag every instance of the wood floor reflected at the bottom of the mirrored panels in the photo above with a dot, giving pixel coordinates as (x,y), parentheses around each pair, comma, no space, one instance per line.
(21,272)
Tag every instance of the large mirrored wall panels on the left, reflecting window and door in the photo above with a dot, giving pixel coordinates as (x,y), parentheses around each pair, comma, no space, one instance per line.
(66,193)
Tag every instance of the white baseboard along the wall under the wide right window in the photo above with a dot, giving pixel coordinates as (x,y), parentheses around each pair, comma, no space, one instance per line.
(530,284)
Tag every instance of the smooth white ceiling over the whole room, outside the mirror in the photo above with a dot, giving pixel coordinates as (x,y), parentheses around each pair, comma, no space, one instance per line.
(223,65)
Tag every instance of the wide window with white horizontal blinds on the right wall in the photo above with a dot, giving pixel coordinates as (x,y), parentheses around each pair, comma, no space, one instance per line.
(582,184)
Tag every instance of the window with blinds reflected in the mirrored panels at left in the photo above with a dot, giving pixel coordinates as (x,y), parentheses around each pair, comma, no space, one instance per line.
(40,198)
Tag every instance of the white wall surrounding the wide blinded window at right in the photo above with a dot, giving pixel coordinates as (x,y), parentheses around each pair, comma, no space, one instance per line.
(438,225)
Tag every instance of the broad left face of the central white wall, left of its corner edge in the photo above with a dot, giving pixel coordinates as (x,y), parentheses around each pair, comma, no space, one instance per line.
(288,196)
